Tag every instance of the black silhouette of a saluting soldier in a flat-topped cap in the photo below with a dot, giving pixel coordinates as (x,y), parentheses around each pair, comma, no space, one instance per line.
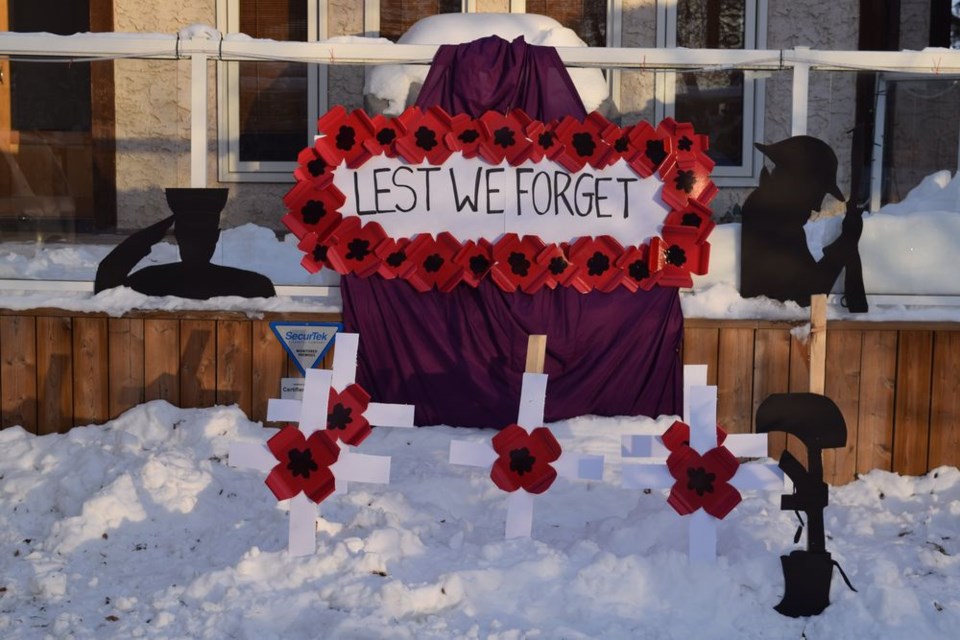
(196,222)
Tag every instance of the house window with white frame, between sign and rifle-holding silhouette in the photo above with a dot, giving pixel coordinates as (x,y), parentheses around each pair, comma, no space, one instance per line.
(725,104)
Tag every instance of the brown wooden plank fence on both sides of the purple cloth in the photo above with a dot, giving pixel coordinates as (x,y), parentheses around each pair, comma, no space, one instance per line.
(897,384)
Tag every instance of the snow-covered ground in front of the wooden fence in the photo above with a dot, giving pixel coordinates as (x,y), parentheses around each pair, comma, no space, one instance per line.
(139,528)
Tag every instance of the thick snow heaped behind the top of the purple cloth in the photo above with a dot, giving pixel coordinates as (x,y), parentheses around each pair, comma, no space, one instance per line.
(393,83)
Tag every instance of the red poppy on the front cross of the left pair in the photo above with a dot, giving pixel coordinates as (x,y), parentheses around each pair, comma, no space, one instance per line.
(303,464)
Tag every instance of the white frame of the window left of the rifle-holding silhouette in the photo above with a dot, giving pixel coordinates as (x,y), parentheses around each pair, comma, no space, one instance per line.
(746,174)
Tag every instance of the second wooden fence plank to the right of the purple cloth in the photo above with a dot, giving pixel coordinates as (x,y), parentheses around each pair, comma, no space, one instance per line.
(735,380)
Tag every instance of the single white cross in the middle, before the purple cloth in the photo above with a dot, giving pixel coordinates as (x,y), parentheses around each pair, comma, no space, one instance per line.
(529,416)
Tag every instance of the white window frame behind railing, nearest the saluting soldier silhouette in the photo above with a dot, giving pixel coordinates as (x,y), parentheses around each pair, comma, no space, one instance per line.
(230,168)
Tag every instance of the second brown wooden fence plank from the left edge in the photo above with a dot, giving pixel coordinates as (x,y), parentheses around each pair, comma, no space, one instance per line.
(54,374)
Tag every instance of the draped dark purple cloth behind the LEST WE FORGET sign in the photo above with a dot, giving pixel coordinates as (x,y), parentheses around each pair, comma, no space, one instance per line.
(459,356)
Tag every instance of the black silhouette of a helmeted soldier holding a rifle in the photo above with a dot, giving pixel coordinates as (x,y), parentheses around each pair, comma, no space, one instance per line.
(774,258)
